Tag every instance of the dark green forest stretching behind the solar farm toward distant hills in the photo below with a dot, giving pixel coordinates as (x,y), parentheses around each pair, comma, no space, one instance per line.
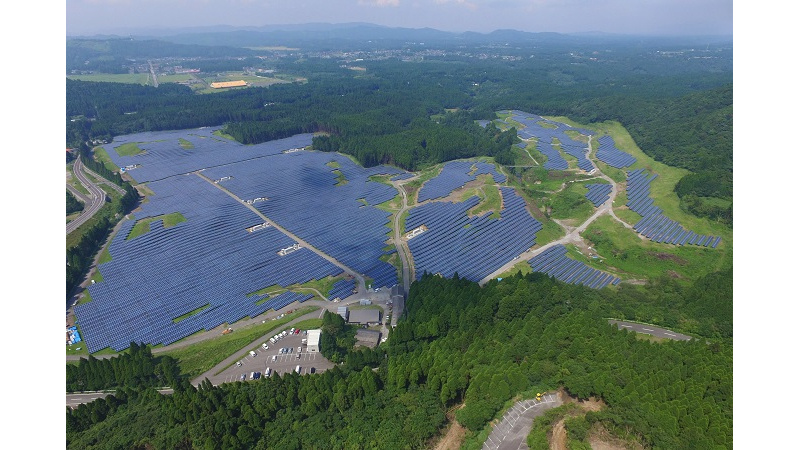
(679,110)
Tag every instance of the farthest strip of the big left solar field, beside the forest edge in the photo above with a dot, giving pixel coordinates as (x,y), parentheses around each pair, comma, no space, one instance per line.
(163,155)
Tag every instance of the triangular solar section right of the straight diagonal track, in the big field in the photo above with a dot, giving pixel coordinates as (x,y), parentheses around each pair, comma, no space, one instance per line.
(304,199)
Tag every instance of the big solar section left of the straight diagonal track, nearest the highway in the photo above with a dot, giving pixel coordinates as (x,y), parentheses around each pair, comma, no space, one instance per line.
(209,262)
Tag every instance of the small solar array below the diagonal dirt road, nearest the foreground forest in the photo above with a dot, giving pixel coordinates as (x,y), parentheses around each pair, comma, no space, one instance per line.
(555,262)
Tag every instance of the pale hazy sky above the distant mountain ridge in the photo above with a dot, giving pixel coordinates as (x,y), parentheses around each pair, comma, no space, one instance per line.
(648,17)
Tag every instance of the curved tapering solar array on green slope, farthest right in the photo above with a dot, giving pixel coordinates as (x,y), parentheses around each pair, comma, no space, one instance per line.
(654,225)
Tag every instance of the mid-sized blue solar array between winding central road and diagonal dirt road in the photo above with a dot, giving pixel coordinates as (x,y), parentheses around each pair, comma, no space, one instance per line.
(472,246)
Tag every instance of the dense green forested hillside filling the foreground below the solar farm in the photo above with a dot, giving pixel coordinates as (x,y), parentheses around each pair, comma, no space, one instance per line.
(458,344)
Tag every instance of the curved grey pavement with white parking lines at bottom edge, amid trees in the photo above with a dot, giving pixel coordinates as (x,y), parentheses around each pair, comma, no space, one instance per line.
(512,432)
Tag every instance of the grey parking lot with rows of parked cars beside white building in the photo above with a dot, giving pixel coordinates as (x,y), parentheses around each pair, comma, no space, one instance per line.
(279,362)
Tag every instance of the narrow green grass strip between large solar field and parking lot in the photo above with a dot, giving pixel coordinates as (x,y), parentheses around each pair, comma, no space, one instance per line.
(201,357)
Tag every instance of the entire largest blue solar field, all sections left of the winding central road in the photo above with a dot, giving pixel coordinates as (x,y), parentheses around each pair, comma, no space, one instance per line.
(210,262)
